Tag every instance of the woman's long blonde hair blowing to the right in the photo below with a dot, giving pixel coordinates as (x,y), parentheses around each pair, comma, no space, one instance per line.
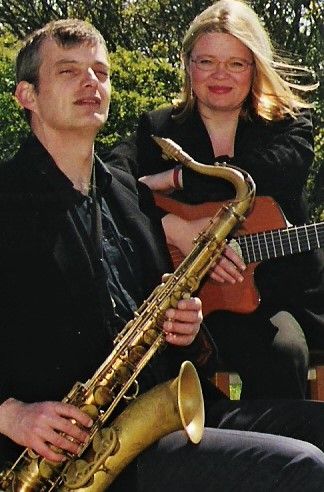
(272,95)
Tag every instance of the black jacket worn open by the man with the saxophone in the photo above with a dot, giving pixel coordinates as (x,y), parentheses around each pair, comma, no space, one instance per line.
(52,322)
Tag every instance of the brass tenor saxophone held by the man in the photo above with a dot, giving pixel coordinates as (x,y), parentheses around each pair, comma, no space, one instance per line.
(165,408)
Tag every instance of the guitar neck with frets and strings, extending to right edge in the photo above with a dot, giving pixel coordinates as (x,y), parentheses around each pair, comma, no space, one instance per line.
(281,242)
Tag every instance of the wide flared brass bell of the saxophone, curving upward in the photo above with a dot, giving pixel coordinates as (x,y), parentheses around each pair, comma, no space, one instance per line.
(170,406)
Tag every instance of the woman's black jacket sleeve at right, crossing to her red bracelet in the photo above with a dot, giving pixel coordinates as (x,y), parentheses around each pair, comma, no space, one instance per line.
(278,156)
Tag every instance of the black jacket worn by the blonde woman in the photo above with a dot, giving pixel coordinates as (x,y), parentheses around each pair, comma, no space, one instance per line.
(278,156)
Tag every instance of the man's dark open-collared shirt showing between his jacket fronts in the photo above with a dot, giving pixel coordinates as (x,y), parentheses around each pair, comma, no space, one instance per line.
(113,253)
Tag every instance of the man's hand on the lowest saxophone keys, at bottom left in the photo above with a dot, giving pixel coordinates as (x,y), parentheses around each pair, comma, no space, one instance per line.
(40,426)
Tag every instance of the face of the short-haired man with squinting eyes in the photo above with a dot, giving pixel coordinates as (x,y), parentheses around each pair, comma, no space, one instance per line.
(74,88)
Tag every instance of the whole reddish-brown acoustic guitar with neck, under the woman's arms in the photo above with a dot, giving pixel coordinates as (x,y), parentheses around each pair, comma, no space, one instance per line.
(251,242)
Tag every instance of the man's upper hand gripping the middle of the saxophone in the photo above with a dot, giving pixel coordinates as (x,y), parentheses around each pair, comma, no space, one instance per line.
(183,323)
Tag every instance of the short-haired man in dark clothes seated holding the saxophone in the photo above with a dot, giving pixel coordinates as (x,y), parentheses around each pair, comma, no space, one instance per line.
(80,248)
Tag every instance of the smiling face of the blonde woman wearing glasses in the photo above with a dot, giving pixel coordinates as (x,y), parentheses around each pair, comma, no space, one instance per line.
(221,71)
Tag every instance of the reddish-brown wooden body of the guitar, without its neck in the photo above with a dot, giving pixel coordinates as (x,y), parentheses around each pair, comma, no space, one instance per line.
(241,297)
